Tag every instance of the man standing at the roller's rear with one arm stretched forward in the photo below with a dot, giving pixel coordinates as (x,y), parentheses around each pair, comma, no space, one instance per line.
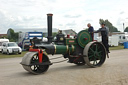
(104,33)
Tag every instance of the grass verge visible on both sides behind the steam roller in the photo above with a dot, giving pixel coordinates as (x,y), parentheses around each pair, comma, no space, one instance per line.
(23,53)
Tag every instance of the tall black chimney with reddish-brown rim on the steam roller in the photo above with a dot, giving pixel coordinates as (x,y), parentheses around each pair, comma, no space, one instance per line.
(49,21)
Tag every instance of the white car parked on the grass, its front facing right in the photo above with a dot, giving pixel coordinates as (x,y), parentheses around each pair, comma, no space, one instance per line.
(11,47)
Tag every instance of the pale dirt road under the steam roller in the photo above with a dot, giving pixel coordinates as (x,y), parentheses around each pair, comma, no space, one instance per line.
(113,72)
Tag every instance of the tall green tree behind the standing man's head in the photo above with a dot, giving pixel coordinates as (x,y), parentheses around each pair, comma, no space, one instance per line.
(109,25)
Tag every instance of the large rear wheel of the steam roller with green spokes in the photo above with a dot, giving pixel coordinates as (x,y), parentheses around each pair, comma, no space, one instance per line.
(95,54)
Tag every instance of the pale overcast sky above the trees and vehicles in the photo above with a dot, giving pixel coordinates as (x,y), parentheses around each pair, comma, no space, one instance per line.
(67,14)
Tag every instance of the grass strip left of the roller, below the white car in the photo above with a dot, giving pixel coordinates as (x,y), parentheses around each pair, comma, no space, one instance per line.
(12,55)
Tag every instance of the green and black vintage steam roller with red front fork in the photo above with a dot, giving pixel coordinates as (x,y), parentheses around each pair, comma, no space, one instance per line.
(80,50)
